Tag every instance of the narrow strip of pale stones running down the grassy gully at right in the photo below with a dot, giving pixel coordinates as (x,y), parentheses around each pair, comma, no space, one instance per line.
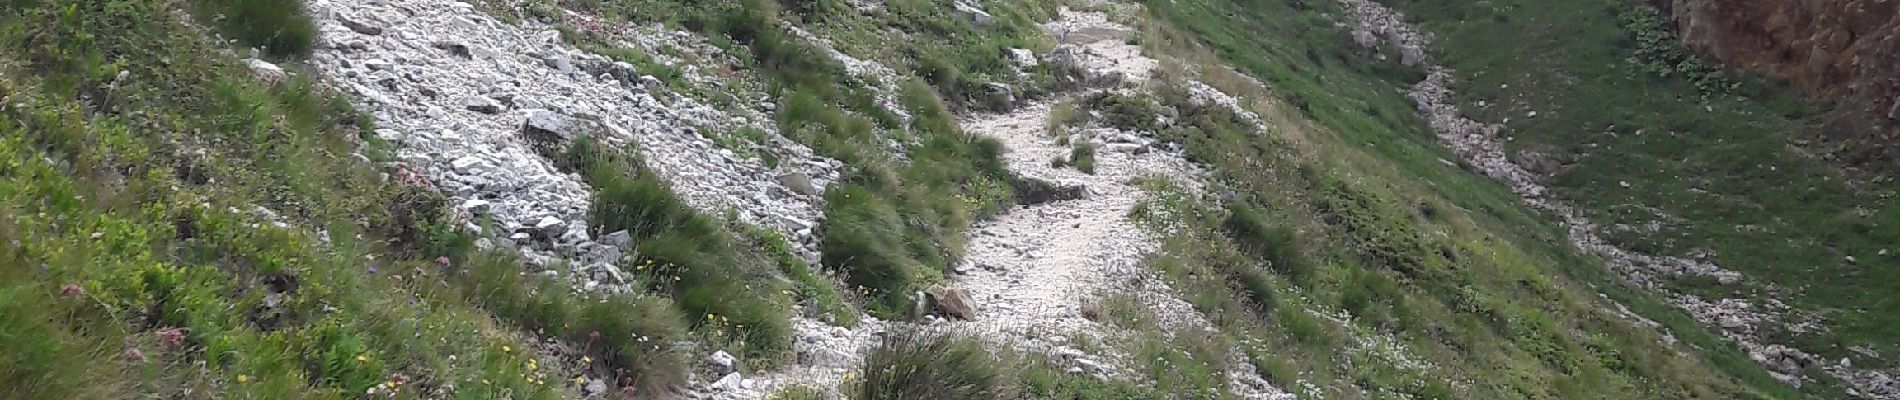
(1481,145)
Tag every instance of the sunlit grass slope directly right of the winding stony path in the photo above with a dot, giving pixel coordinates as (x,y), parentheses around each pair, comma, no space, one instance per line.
(1346,208)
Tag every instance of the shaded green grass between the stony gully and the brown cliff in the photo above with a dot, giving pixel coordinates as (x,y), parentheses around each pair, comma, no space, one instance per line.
(1717,162)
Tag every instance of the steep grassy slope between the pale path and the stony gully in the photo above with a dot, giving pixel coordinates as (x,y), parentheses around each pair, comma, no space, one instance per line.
(1473,280)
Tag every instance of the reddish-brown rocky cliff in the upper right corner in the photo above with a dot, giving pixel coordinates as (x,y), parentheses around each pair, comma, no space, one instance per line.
(1840,50)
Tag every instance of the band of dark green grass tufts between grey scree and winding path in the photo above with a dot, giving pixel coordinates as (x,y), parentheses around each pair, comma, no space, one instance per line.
(892,228)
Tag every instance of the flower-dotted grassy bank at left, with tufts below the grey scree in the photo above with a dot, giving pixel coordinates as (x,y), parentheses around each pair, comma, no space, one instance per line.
(180,227)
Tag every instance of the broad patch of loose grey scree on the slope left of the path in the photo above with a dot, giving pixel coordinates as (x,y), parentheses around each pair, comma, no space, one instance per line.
(461,94)
